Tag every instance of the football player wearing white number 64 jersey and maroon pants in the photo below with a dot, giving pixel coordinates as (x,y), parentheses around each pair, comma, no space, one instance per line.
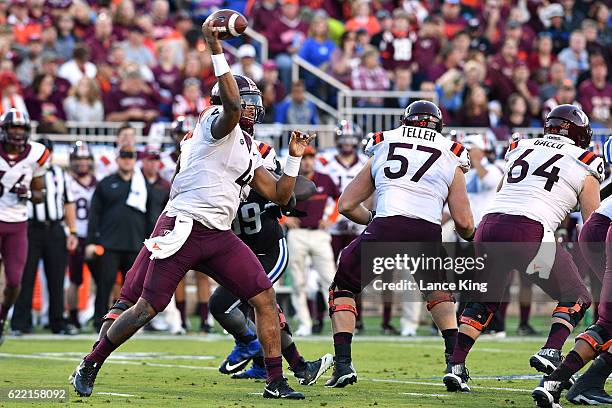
(544,179)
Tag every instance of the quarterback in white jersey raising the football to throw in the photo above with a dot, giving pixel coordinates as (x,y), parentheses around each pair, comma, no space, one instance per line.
(218,163)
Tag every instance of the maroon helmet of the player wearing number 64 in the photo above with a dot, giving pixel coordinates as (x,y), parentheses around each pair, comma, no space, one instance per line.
(571,122)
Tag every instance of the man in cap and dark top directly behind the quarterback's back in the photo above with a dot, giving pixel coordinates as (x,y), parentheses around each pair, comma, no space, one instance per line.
(158,188)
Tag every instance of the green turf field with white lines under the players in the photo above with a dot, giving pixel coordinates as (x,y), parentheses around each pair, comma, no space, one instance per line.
(163,371)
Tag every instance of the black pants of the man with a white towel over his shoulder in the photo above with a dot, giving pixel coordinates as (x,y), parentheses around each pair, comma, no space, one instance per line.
(105,273)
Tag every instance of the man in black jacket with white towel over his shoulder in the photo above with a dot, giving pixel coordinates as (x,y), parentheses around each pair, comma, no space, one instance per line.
(117,222)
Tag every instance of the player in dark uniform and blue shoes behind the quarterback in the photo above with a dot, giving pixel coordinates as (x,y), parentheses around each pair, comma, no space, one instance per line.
(257,224)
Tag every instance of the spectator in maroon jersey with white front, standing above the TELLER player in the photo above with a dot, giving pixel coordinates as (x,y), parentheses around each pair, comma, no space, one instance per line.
(397,44)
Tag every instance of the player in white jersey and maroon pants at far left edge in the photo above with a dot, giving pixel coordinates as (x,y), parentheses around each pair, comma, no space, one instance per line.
(22,170)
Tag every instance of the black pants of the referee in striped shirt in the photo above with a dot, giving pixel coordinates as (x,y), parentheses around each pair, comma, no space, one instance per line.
(46,241)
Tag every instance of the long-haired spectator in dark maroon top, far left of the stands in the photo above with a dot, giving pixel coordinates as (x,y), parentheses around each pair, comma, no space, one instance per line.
(45,106)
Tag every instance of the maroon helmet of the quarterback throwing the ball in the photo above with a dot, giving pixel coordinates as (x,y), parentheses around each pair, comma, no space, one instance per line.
(250,96)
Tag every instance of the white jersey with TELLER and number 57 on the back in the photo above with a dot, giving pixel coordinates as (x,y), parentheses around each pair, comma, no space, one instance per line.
(413,169)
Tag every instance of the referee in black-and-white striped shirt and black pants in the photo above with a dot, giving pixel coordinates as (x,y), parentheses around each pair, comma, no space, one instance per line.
(50,240)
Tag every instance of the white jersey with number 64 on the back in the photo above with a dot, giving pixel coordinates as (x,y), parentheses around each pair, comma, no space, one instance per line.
(543,179)
